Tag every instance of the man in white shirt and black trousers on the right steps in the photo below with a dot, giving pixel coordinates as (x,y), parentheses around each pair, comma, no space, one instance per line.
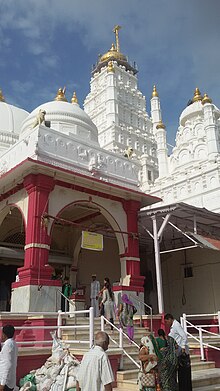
(184,366)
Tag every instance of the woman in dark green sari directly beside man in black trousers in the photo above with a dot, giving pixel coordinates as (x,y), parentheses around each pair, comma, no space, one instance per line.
(167,366)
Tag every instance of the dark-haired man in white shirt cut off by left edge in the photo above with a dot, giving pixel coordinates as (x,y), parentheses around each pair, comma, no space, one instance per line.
(8,359)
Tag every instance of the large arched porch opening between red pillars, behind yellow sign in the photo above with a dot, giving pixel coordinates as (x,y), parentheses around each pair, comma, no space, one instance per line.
(66,235)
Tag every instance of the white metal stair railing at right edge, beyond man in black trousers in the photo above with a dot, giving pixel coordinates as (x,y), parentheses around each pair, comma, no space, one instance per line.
(200,329)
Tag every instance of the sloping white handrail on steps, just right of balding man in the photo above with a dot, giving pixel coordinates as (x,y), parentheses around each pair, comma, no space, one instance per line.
(120,344)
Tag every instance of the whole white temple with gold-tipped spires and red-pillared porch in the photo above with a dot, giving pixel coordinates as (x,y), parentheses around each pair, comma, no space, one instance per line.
(96,168)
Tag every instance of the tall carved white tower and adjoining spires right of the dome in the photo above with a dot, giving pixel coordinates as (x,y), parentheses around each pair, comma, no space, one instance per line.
(191,172)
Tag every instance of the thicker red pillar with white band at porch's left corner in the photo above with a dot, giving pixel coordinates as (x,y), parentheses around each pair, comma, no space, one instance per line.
(36,270)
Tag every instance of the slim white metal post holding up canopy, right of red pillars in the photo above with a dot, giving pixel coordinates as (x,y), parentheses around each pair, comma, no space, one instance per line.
(158,267)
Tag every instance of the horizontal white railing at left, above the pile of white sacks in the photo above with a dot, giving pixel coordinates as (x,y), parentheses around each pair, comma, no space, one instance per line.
(59,327)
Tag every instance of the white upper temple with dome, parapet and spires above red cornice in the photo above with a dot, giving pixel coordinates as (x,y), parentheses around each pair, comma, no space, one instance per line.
(95,140)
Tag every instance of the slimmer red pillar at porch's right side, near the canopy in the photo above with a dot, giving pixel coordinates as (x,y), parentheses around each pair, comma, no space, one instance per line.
(131,208)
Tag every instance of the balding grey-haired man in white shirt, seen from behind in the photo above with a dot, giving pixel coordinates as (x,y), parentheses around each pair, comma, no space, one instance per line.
(95,372)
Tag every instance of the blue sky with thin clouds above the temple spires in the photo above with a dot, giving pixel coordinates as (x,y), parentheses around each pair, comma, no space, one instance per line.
(46,44)
